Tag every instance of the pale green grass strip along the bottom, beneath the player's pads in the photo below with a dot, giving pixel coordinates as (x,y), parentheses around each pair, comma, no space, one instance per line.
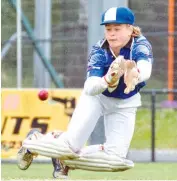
(142,171)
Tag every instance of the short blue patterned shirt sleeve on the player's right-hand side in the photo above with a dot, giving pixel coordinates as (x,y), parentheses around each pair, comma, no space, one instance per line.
(142,51)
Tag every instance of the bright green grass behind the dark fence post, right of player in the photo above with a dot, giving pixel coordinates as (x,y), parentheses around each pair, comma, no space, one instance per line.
(166,124)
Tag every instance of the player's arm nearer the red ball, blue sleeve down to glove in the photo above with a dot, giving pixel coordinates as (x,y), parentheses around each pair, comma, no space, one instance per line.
(96,81)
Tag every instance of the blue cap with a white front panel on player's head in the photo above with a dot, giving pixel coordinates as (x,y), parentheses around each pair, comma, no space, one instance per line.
(115,15)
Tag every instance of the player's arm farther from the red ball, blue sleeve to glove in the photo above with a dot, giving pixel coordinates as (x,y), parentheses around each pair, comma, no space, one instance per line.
(141,70)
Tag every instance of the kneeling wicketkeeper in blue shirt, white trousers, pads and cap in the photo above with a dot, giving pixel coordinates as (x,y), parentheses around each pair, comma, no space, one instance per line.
(118,67)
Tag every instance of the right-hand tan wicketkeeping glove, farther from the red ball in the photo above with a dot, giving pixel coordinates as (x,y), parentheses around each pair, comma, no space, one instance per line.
(131,76)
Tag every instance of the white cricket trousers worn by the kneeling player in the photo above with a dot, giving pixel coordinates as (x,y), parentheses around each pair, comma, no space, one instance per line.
(119,121)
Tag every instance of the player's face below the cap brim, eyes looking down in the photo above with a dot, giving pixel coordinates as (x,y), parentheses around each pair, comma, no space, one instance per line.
(118,35)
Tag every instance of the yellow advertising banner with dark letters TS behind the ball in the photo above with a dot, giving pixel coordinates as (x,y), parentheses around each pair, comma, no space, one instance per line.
(22,111)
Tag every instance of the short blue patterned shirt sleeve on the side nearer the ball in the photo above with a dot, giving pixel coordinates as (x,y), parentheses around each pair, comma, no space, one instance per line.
(96,63)
